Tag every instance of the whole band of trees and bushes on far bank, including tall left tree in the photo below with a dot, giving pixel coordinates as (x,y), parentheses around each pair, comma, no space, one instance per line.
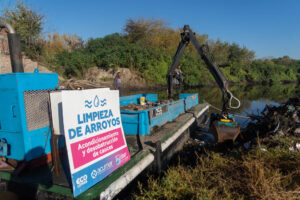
(146,46)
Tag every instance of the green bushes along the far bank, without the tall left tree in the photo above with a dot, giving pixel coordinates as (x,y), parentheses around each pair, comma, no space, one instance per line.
(153,61)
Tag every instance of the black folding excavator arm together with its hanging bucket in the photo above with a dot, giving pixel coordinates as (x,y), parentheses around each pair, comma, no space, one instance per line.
(222,125)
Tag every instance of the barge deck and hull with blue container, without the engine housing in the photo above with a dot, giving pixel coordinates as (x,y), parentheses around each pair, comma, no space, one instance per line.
(153,136)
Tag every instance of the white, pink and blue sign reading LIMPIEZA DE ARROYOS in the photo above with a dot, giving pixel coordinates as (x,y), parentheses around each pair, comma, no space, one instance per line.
(94,135)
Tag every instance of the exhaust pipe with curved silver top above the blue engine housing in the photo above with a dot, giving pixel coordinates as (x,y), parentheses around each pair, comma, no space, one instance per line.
(14,48)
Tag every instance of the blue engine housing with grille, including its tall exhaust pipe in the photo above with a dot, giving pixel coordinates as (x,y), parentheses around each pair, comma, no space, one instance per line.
(24,108)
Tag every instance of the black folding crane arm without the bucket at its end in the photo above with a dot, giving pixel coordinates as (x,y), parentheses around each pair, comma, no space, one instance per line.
(188,36)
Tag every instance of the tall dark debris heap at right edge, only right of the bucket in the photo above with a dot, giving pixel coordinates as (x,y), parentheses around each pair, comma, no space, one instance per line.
(274,123)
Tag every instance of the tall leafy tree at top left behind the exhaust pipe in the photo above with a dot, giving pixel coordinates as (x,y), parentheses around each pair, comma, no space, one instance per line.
(28,23)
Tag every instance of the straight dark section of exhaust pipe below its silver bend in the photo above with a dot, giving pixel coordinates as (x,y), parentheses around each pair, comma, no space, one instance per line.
(15,52)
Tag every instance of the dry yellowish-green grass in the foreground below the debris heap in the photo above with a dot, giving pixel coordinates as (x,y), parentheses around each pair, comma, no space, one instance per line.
(257,174)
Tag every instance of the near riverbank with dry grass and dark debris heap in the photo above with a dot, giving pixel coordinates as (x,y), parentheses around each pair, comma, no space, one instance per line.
(262,164)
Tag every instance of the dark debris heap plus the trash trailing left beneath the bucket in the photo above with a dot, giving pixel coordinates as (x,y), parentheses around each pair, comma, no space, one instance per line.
(268,129)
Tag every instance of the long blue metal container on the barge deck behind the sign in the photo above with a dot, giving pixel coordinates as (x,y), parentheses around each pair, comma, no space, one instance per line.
(141,122)
